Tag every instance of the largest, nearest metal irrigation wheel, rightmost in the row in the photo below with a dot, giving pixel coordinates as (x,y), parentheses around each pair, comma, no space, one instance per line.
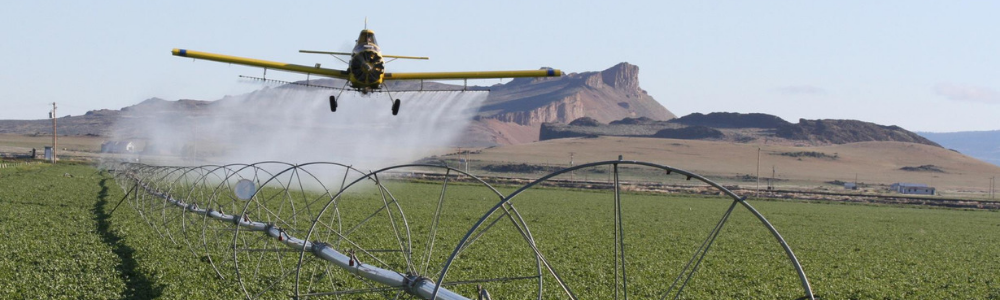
(617,240)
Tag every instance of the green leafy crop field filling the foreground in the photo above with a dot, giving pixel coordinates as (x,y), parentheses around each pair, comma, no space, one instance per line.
(61,240)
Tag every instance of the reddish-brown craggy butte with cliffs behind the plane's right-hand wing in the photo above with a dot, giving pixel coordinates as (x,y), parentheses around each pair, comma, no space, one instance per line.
(605,96)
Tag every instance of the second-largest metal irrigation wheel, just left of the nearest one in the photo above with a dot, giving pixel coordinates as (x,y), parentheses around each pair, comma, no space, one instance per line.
(382,237)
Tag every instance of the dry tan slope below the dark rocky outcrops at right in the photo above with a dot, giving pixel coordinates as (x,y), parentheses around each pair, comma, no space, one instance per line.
(871,162)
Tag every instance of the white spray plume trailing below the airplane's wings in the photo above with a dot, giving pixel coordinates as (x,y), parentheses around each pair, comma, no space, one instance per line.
(294,124)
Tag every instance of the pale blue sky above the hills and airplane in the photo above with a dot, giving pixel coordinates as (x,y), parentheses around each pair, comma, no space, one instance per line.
(922,65)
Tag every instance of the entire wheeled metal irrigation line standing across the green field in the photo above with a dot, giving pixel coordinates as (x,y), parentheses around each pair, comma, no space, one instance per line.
(344,233)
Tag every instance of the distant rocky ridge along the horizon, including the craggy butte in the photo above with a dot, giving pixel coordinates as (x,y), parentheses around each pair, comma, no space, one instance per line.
(608,102)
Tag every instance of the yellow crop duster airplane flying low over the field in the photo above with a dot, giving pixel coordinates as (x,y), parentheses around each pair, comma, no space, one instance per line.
(366,68)
